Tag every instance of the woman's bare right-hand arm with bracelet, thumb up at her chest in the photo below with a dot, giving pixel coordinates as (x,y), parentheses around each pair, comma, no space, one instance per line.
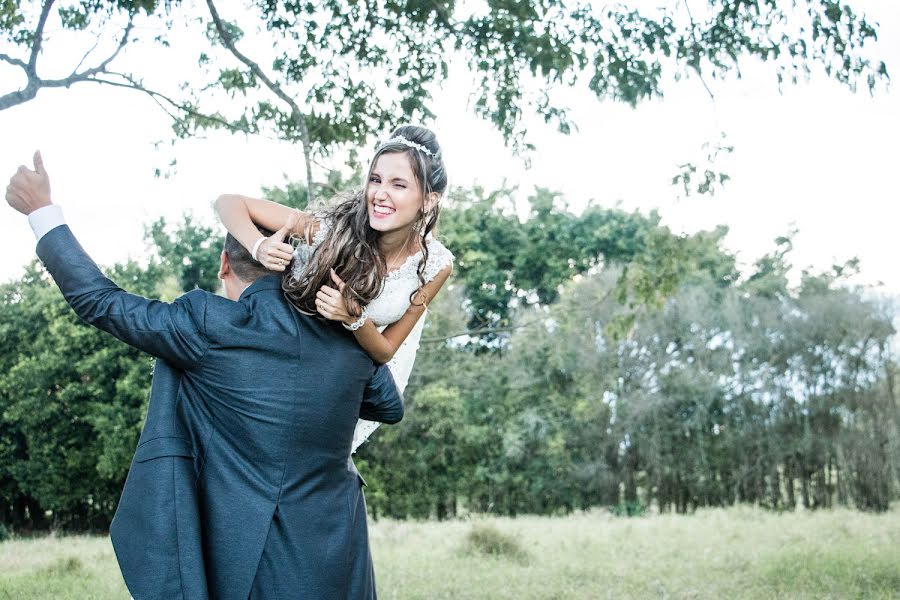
(381,346)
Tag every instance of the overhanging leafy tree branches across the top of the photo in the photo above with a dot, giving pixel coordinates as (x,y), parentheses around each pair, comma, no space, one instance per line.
(334,73)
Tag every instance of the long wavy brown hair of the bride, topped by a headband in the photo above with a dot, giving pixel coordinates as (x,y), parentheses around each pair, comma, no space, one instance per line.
(351,245)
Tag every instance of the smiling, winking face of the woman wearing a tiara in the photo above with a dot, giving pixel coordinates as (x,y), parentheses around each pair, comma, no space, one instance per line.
(393,195)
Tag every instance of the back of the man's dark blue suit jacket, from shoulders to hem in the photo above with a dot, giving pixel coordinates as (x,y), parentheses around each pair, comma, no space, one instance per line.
(283,390)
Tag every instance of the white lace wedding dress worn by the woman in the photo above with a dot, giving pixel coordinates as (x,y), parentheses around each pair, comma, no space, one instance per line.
(388,307)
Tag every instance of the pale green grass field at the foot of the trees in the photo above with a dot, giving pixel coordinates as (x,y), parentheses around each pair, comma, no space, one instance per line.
(721,553)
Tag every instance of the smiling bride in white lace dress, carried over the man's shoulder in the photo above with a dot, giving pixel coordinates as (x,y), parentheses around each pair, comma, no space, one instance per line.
(369,262)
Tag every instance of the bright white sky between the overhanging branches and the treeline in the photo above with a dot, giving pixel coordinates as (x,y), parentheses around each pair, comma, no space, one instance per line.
(815,157)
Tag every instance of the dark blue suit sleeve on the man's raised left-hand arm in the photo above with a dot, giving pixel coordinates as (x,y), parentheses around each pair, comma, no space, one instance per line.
(172,331)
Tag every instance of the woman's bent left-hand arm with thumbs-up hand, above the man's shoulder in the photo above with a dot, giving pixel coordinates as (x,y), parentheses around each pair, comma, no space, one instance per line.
(241,215)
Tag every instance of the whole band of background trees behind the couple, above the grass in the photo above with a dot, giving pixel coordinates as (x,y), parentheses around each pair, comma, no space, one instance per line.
(574,361)
